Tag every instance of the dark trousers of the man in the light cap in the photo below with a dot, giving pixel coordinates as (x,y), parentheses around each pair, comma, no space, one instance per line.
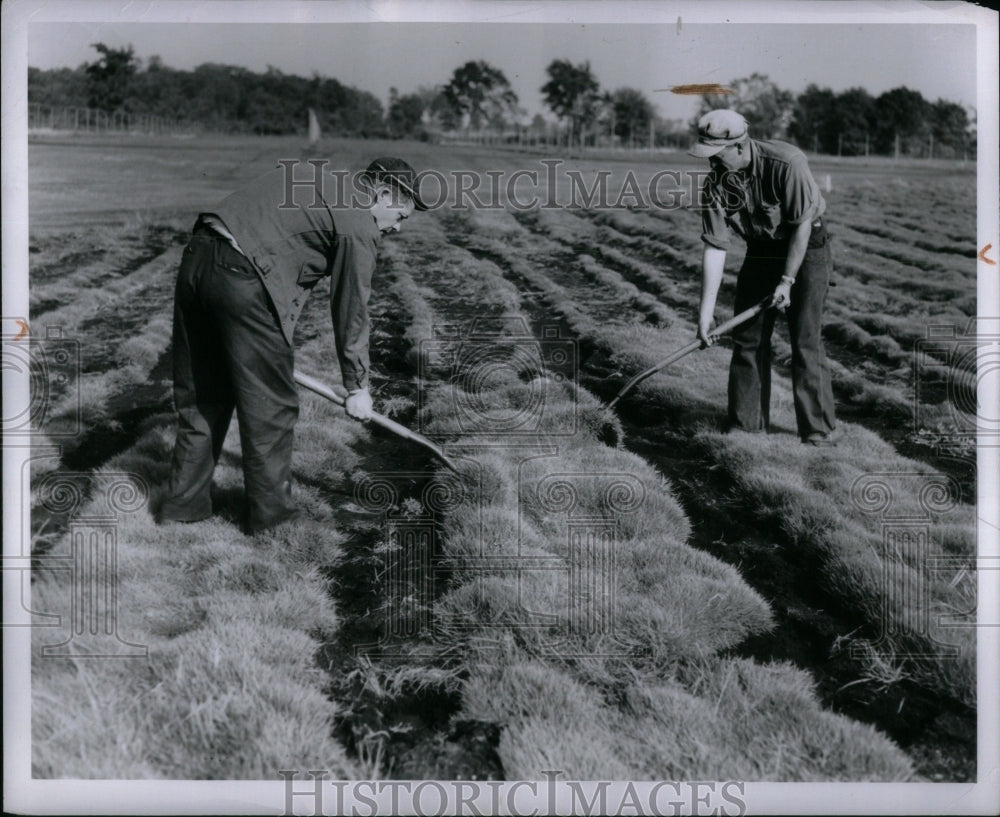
(750,370)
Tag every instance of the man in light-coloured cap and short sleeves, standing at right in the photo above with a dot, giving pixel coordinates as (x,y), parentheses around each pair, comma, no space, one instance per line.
(764,192)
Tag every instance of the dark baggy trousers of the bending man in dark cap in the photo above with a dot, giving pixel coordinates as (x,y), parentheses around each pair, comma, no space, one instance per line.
(229,353)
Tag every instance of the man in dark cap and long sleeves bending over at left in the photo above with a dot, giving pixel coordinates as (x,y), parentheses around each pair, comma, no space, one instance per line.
(243,280)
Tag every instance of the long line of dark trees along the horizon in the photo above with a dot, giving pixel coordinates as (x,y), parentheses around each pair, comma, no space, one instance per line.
(478,97)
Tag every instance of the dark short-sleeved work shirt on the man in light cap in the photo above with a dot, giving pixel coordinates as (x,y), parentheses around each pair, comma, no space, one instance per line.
(763,202)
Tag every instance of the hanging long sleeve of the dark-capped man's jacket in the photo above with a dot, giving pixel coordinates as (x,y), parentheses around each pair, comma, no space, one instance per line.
(350,289)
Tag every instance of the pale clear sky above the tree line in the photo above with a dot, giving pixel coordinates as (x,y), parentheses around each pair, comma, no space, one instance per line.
(936,59)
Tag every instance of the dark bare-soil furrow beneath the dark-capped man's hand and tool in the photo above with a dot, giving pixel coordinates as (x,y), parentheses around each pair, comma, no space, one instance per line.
(395,686)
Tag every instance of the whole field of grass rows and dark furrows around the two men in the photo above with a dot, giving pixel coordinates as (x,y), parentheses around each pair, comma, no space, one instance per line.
(627,595)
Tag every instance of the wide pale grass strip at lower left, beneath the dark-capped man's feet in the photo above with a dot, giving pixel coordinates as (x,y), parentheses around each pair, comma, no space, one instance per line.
(219,635)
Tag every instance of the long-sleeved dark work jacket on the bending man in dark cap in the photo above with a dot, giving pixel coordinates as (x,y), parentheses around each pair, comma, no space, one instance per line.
(294,238)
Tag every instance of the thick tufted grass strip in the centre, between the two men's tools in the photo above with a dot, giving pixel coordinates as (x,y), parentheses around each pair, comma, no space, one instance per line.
(647,691)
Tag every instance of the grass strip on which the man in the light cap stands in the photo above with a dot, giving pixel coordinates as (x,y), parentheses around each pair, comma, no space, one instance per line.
(810,494)
